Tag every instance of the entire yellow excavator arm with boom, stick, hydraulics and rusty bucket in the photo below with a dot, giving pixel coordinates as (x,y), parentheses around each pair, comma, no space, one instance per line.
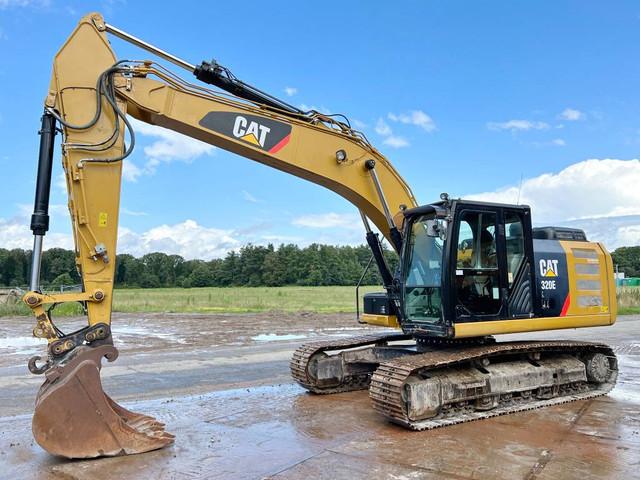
(90,95)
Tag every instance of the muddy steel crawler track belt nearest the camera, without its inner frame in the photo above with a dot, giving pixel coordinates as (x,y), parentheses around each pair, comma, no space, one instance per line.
(389,380)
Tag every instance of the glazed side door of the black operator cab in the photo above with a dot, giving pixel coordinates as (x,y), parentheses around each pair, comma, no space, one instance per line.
(477,276)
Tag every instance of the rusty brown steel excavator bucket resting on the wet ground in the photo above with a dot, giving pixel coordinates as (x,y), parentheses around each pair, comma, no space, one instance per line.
(74,418)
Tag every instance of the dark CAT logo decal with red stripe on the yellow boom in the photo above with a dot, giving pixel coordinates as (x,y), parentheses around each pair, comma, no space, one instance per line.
(258,131)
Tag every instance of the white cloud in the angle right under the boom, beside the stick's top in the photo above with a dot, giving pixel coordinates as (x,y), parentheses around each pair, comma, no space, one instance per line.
(170,146)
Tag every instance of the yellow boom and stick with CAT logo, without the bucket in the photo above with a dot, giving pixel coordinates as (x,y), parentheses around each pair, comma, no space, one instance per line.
(91,94)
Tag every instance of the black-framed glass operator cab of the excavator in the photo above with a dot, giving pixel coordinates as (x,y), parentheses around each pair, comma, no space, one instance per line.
(465,261)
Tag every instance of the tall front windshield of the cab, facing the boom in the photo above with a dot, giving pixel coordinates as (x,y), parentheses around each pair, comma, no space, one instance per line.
(423,269)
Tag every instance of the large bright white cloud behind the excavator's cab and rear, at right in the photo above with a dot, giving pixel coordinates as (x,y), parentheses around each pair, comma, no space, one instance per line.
(592,189)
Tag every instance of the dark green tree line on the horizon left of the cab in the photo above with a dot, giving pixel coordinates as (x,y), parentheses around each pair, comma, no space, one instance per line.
(251,266)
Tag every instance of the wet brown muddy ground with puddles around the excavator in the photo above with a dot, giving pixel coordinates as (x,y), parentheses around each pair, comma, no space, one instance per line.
(222,385)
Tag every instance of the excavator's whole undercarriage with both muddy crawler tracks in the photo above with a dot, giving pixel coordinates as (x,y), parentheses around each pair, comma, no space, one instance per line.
(433,383)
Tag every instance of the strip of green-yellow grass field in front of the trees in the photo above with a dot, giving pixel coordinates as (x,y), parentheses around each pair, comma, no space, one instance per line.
(255,299)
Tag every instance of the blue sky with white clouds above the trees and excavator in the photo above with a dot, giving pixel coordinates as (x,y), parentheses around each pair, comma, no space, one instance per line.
(529,102)
